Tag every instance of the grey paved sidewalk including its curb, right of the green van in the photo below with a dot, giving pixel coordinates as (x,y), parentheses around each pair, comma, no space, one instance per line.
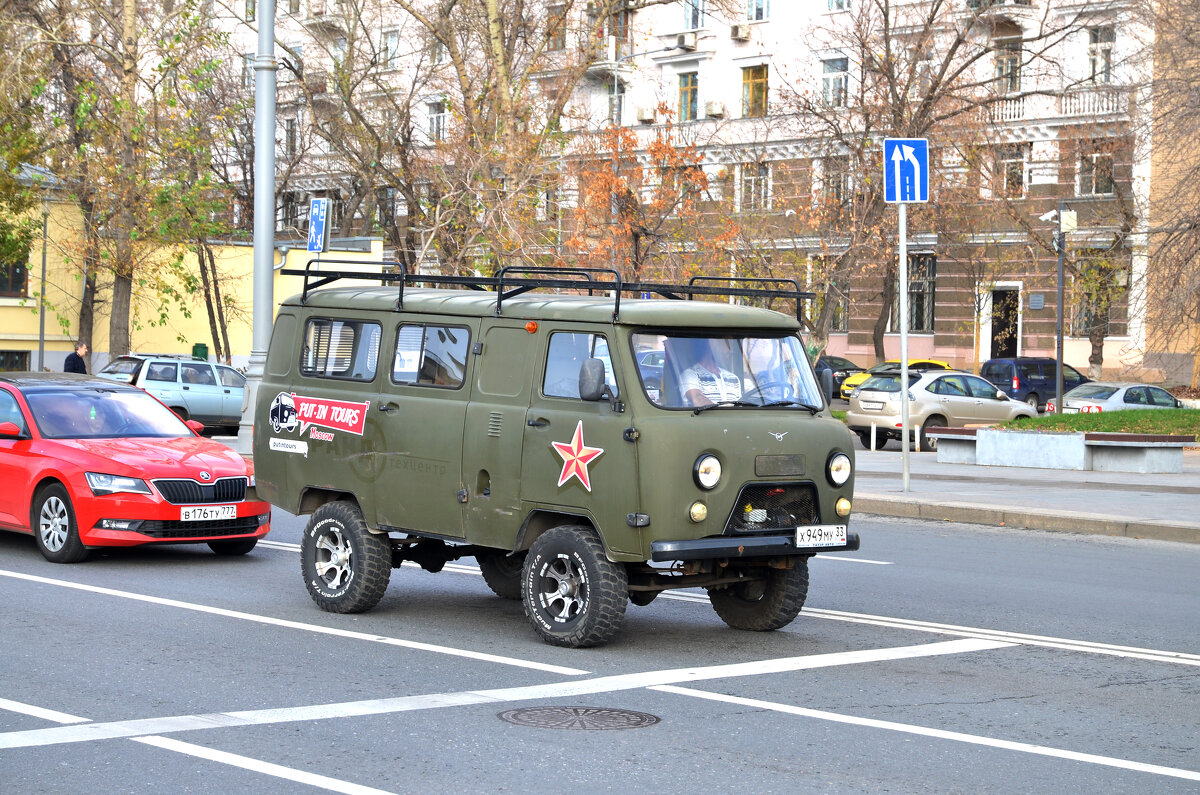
(1113,504)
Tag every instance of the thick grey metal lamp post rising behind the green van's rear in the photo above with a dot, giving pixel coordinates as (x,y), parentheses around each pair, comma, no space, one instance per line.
(265,217)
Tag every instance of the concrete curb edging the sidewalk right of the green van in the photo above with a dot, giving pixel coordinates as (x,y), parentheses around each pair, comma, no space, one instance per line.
(1064,522)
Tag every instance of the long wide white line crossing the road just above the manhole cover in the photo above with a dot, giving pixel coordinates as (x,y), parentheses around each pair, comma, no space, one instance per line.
(118,730)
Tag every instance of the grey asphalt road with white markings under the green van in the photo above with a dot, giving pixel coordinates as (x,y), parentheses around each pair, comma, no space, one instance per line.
(944,659)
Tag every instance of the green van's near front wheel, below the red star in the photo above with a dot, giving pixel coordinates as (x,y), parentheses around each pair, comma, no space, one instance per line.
(574,596)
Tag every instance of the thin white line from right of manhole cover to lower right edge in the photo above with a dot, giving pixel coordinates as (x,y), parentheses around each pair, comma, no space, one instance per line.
(1007,745)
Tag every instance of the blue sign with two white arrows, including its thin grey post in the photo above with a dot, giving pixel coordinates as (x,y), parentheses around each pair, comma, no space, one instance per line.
(905,181)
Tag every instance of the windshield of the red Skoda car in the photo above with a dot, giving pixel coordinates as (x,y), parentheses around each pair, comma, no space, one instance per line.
(103,414)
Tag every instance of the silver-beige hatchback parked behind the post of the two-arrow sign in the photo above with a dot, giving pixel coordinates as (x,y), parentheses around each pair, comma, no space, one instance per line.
(938,399)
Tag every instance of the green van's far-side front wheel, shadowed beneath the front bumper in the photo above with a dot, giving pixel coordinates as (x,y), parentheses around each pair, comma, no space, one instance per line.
(766,603)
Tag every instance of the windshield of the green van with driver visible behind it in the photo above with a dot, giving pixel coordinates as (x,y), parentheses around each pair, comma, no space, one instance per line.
(730,370)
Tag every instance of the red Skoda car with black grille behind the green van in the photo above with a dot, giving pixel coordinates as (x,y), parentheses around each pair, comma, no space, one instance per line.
(87,462)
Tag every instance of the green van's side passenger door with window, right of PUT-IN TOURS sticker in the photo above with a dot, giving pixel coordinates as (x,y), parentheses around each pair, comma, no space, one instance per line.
(422,415)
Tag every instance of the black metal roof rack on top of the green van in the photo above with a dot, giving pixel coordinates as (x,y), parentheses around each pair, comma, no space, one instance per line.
(517,280)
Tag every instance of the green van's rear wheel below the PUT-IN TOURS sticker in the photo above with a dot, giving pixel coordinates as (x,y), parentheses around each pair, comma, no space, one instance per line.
(345,566)
